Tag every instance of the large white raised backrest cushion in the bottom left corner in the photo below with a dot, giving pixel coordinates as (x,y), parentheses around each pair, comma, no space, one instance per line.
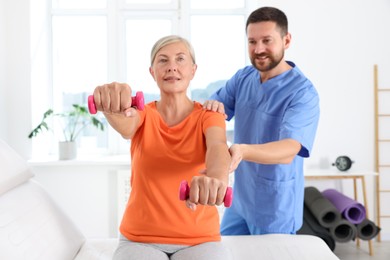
(33,227)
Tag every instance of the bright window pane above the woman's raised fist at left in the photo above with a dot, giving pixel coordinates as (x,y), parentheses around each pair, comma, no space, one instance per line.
(80,53)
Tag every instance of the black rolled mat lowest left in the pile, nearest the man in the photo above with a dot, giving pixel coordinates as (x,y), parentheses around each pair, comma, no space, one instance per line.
(312,227)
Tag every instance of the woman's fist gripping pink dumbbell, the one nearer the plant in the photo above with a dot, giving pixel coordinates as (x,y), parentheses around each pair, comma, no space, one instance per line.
(114,98)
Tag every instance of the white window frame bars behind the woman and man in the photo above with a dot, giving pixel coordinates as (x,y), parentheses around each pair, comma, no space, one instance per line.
(117,12)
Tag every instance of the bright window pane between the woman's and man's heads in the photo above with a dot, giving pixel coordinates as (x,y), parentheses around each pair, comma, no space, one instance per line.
(223,53)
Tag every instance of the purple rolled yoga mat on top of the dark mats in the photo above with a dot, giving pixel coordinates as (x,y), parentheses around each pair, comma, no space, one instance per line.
(350,209)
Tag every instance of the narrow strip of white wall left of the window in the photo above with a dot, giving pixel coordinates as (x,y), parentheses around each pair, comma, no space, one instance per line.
(15,83)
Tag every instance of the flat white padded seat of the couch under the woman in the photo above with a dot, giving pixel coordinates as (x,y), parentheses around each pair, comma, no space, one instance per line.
(269,247)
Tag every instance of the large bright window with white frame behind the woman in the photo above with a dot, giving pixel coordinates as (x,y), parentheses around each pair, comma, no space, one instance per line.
(92,42)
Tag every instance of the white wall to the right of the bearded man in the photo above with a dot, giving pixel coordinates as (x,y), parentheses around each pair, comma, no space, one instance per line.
(336,44)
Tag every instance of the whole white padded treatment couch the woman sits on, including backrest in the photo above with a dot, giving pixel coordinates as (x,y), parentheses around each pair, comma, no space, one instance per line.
(34,227)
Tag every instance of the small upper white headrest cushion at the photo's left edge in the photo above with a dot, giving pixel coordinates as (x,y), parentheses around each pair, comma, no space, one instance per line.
(14,169)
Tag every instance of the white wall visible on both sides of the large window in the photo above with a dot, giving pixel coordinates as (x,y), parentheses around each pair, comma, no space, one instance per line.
(335,43)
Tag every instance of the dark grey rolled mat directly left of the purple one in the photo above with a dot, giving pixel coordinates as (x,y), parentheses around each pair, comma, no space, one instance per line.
(322,209)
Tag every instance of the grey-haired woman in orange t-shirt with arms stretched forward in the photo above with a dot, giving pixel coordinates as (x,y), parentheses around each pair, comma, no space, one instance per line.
(172,139)
